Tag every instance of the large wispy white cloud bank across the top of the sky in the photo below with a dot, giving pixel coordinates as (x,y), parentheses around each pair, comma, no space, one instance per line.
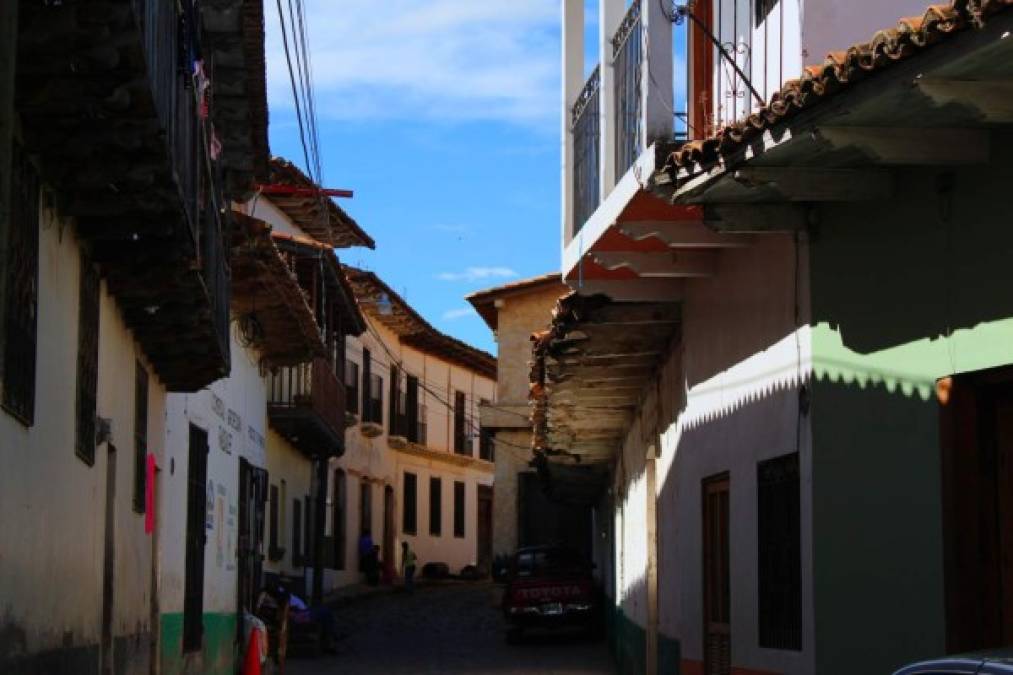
(442,59)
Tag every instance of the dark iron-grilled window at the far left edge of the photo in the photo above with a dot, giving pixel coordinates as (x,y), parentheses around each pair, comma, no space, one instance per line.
(21,325)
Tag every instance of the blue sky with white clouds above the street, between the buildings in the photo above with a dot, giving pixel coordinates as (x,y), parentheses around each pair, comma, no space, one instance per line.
(443,116)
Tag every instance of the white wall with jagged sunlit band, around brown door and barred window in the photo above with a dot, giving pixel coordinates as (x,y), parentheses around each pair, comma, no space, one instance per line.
(733,383)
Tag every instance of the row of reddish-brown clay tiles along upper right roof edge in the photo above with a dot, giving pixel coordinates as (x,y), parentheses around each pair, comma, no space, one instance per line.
(840,70)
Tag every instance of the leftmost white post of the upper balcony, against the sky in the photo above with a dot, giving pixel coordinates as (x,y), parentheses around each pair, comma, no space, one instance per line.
(573,66)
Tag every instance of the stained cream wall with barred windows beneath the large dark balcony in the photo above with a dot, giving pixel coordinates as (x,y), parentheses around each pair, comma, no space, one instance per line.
(54,529)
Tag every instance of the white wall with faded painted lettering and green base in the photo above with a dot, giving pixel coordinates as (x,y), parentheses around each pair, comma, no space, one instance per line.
(232,413)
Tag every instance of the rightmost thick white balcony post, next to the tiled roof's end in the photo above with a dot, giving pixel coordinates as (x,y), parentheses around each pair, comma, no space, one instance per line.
(657,72)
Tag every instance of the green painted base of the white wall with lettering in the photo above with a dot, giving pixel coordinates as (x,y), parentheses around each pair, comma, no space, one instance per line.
(218,656)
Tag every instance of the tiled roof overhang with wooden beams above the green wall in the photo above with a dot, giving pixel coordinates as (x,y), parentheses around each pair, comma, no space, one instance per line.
(930,94)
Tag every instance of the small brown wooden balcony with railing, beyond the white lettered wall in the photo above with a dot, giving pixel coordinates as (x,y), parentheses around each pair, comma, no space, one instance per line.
(306,406)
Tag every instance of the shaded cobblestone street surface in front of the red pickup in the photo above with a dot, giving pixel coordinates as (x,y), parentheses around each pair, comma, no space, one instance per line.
(448,629)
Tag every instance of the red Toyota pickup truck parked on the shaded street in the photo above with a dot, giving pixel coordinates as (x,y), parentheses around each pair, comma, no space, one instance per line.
(551,587)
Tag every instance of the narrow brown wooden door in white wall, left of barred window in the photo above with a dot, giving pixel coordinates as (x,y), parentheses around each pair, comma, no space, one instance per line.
(717,605)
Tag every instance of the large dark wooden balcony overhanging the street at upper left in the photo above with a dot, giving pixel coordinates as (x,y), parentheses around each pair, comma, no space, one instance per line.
(114,102)
